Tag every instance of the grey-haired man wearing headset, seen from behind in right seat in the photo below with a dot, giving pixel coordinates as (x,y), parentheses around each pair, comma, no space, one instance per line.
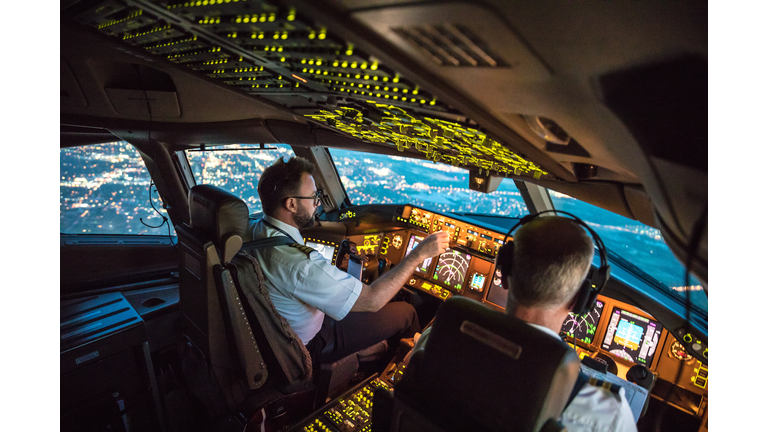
(552,256)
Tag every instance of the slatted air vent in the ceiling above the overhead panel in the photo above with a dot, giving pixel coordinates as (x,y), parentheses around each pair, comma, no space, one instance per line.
(449,45)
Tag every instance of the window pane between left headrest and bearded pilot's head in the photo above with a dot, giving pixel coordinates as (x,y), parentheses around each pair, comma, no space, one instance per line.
(236,171)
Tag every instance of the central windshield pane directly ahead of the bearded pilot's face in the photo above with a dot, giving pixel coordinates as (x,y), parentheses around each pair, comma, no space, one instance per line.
(379,179)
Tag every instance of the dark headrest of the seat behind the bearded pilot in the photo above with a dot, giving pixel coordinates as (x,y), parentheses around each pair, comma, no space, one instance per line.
(217,214)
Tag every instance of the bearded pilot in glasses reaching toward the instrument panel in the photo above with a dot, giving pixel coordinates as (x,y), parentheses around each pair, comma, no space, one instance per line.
(332,312)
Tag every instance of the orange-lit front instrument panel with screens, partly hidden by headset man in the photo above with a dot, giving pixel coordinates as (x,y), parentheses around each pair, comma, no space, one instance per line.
(613,332)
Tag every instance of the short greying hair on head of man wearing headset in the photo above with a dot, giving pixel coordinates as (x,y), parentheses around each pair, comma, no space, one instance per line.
(552,256)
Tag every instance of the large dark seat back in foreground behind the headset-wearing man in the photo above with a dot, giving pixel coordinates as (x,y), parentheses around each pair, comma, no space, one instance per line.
(483,370)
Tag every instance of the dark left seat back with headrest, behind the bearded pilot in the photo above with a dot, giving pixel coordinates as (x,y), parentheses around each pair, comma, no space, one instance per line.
(210,306)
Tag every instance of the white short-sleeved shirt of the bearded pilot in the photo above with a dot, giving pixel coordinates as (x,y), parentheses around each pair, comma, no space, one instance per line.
(303,289)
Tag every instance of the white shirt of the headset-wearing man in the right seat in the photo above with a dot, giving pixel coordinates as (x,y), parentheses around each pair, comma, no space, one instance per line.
(594,409)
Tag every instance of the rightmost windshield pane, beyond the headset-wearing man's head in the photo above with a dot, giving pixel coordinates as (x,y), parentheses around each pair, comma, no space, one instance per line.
(637,243)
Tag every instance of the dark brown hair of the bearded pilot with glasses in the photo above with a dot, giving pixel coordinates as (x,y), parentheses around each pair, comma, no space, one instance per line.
(282,179)
